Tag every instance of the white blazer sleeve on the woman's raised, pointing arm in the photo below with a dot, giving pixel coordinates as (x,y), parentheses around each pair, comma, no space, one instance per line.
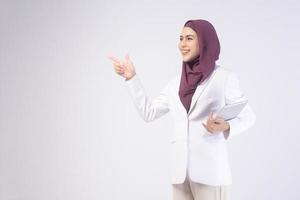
(148,110)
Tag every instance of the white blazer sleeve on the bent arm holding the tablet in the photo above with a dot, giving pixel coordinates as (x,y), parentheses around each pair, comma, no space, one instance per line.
(246,118)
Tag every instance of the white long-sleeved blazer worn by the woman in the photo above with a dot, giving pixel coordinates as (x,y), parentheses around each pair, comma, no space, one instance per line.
(195,151)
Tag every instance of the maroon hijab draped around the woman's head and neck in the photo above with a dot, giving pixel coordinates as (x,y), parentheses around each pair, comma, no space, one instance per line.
(197,70)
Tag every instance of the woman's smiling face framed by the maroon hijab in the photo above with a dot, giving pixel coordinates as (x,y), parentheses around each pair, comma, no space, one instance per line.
(188,44)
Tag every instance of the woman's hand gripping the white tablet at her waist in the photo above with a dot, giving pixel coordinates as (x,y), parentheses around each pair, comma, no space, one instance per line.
(217,124)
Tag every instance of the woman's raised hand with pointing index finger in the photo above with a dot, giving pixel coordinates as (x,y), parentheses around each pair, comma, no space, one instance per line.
(124,68)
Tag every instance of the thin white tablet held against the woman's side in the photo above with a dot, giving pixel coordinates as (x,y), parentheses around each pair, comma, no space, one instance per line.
(231,111)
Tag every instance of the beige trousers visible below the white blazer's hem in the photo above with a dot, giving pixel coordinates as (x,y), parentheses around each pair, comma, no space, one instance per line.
(196,191)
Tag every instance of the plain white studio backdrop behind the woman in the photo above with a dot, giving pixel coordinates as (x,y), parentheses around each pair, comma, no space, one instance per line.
(68,128)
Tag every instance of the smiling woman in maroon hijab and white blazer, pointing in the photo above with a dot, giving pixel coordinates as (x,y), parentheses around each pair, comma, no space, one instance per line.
(200,168)
